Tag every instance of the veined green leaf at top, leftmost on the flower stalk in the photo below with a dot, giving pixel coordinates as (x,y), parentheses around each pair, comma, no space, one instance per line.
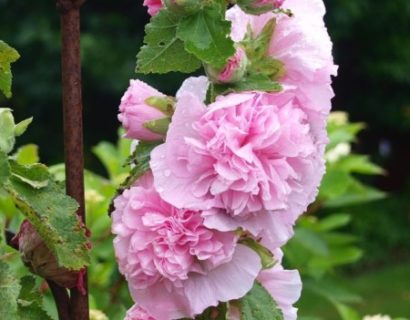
(163,51)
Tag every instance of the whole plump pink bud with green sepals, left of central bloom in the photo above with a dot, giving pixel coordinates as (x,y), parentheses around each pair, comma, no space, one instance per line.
(145,112)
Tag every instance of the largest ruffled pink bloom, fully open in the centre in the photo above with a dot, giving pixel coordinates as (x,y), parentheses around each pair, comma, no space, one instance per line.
(256,156)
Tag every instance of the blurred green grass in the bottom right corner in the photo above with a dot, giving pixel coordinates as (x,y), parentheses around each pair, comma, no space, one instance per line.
(383,291)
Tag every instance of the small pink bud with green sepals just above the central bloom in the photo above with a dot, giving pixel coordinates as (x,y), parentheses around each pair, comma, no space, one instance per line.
(233,71)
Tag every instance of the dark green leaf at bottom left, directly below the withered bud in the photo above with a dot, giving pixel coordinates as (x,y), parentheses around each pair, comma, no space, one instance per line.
(30,301)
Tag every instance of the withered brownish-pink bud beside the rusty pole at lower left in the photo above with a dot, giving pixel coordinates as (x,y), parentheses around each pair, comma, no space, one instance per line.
(39,259)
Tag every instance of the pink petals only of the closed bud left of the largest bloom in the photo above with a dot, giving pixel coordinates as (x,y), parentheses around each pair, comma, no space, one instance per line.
(135,112)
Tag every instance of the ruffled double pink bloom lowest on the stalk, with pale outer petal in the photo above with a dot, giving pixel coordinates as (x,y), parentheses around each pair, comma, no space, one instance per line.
(175,266)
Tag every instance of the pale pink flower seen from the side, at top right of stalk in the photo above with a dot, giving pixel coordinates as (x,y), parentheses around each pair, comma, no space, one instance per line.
(301,43)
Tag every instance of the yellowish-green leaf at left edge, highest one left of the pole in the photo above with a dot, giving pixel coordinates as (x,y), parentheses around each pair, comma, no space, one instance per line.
(8,55)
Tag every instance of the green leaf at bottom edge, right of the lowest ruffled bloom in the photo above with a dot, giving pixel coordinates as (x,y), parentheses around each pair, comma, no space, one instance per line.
(258,304)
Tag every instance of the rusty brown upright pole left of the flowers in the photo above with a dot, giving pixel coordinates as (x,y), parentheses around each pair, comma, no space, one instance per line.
(73,127)
